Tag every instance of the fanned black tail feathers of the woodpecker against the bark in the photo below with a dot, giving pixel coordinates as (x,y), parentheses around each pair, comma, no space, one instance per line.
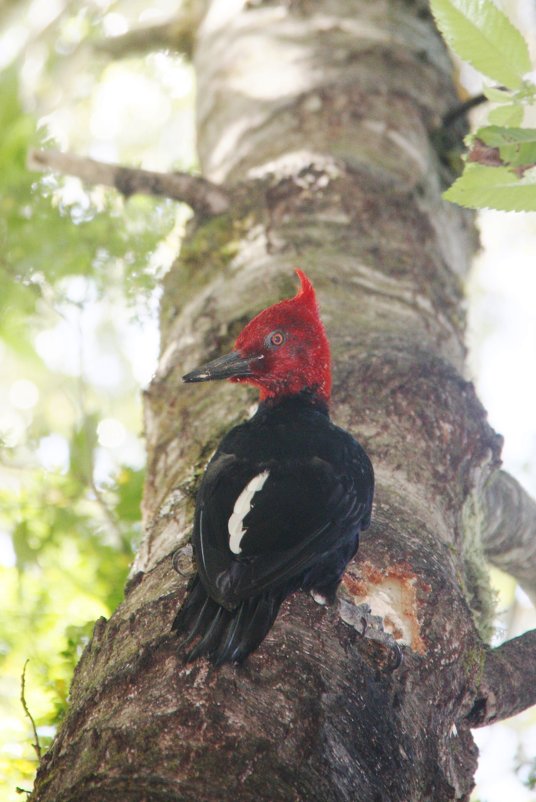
(224,636)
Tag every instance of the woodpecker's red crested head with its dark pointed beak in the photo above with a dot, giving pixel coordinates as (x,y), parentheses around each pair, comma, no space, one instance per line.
(284,351)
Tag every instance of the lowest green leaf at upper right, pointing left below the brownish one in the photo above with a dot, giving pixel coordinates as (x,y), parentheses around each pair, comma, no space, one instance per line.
(499,188)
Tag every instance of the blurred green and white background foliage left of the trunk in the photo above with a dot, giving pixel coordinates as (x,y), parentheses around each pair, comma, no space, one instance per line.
(79,275)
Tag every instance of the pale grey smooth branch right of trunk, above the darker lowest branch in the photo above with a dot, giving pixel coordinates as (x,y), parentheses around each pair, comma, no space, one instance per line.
(509,537)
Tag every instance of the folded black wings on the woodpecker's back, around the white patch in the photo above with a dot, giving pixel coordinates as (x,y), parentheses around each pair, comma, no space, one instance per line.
(301,529)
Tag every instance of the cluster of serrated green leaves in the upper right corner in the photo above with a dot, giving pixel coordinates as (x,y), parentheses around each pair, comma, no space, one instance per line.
(500,170)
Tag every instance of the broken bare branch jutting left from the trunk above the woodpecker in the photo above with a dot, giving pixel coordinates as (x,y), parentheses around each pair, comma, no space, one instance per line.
(204,197)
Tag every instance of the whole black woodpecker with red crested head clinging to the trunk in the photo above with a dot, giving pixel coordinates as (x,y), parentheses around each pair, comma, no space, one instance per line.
(286,495)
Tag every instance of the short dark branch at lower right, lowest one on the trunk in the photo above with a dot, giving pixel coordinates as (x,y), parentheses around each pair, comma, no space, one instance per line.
(508,684)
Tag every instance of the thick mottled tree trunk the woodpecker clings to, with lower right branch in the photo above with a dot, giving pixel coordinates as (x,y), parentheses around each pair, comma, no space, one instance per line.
(317,119)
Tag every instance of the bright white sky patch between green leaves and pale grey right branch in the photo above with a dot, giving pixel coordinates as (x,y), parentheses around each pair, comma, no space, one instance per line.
(502,296)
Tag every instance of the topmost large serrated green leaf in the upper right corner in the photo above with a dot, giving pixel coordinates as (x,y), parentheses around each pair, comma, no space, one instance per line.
(484,36)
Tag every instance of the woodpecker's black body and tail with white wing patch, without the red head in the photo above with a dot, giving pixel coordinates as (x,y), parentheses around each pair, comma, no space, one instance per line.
(310,497)
